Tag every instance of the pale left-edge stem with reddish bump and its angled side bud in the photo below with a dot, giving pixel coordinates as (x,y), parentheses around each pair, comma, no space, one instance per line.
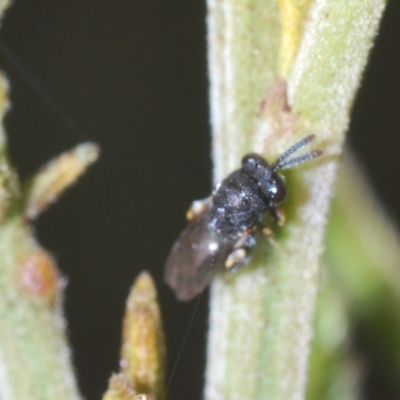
(35,360)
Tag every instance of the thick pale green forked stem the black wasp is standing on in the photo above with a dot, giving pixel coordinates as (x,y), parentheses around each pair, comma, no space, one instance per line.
(279,70)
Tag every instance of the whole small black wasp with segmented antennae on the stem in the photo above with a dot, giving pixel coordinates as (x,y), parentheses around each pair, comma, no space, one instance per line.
(221,232)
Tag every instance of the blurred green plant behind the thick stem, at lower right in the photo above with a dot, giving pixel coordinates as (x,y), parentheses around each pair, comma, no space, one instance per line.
(361,288)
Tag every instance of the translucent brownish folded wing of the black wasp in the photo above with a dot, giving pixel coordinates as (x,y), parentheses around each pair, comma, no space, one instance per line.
(195,258)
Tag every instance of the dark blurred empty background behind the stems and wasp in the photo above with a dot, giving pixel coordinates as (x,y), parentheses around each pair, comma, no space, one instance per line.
(131,76)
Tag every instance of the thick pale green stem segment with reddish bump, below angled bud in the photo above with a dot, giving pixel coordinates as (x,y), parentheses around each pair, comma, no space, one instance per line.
(34,355)
